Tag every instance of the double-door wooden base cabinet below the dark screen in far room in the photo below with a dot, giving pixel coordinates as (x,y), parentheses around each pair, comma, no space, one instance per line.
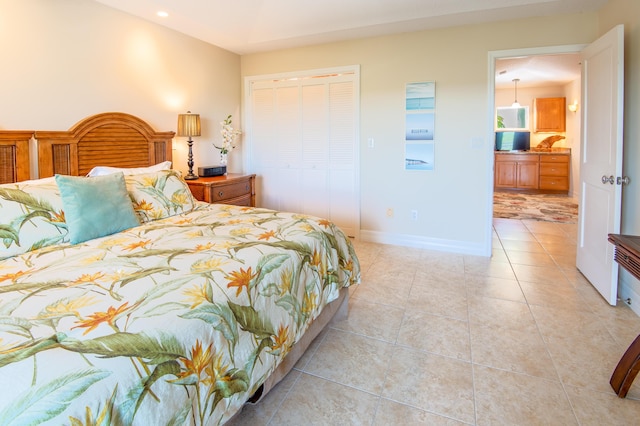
(518,171)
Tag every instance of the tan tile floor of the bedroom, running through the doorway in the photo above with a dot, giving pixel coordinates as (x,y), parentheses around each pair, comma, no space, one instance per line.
(446,339)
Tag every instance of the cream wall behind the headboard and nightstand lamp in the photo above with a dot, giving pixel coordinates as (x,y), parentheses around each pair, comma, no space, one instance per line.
(64,60)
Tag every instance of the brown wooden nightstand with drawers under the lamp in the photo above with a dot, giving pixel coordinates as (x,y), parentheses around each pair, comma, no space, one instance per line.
(237,189)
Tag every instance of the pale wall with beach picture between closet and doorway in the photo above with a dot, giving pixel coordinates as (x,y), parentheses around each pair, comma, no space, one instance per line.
(454,200)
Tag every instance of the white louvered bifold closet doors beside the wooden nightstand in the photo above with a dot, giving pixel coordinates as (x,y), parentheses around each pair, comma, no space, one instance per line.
(303,137)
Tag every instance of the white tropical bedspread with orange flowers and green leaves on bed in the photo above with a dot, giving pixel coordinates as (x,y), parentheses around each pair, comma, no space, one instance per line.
(177,321)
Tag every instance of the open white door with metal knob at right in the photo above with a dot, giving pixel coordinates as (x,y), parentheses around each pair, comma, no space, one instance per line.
(601,160)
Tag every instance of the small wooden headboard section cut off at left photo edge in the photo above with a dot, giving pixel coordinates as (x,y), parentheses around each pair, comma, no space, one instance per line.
(14,155)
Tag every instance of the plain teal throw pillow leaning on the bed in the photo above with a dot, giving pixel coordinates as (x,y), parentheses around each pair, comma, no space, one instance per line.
(95,206)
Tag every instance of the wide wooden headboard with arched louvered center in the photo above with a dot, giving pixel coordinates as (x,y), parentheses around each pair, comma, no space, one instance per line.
(112,139)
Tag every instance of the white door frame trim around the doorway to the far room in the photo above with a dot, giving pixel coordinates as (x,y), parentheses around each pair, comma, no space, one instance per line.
(491,99)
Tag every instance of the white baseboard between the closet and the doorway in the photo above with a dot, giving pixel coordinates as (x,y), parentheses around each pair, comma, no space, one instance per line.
(414,241)
